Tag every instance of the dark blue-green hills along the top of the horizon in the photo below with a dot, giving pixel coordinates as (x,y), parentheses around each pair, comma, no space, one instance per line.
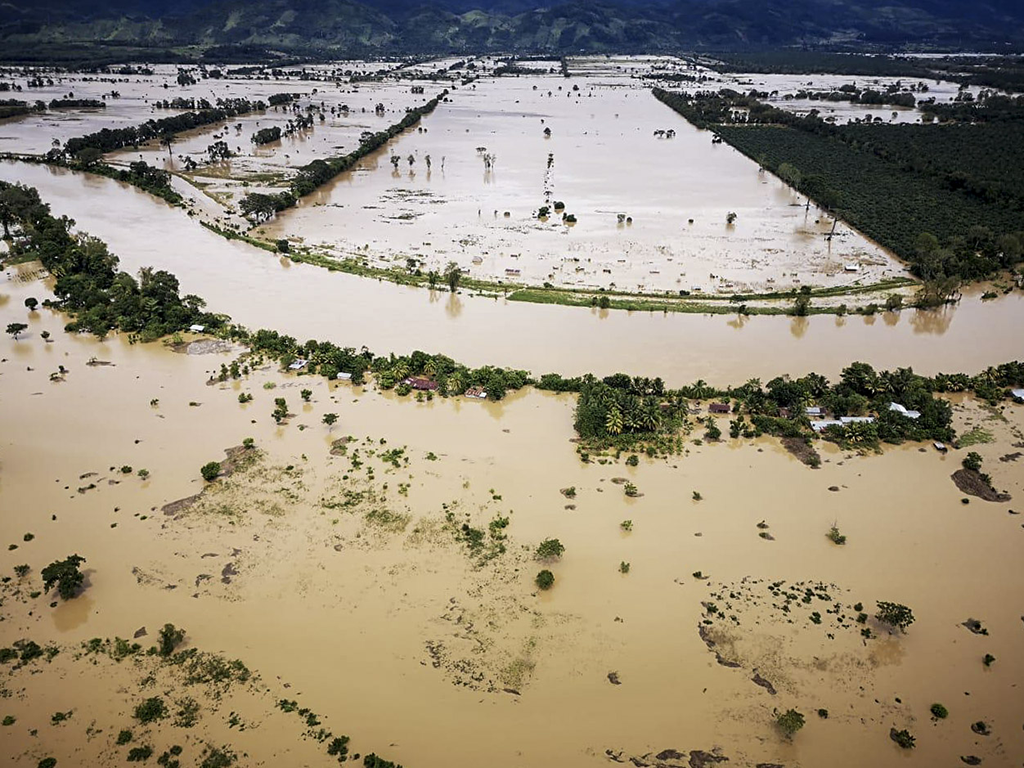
(375,27)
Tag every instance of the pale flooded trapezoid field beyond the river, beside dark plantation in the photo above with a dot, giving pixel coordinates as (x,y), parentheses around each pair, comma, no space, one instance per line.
(652,212)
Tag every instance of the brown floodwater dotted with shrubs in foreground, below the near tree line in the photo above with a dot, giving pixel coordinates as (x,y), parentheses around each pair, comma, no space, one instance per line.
(347,615)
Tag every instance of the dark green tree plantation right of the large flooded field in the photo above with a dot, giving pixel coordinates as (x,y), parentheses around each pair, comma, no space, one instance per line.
(954,185)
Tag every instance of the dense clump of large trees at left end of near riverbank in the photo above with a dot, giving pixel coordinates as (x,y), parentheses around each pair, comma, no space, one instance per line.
(89,284)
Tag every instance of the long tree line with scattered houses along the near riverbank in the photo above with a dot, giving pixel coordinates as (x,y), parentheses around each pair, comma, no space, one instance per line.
(102,298)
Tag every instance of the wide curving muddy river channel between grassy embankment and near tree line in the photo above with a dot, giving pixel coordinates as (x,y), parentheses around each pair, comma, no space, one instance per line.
(261,290)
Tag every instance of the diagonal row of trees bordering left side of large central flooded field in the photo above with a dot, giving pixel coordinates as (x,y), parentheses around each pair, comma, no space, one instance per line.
(319,173)
